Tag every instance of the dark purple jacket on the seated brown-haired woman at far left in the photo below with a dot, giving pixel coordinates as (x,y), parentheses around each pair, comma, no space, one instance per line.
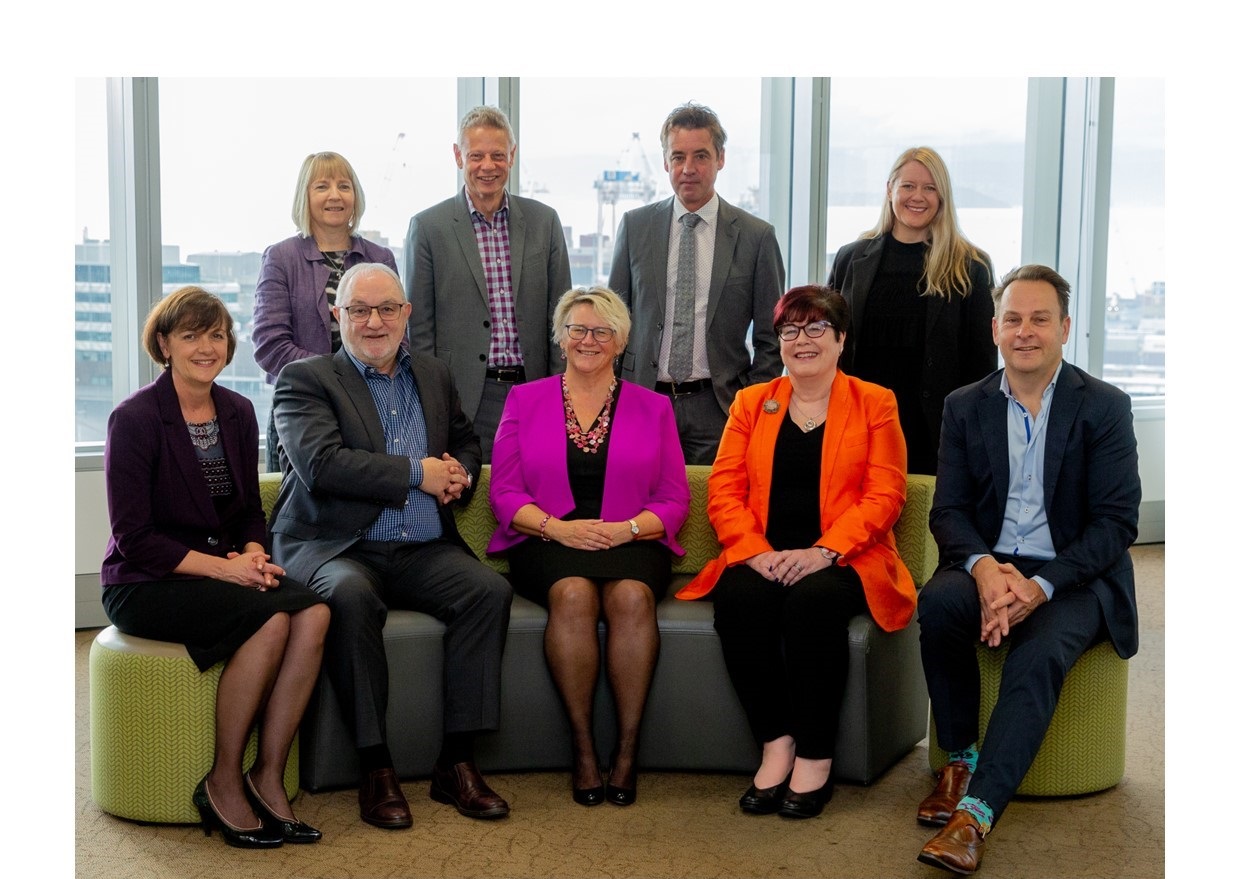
(158,500)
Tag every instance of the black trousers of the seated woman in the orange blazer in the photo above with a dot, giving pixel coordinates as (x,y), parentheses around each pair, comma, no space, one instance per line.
(787,650)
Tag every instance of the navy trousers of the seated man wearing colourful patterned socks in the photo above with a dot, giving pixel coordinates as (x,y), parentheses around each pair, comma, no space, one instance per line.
(1043,648)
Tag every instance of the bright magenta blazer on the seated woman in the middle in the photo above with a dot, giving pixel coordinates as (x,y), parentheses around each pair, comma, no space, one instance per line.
(530,461)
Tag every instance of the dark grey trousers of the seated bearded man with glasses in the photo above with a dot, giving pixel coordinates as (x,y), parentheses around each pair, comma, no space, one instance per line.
(437,578)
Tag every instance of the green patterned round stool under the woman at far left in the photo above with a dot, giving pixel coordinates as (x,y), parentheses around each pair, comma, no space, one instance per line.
(153,730)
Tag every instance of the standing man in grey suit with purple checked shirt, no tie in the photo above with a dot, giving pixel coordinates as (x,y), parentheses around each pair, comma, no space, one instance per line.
(484,272)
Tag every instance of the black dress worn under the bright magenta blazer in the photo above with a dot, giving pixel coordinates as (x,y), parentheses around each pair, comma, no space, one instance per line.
(539,565)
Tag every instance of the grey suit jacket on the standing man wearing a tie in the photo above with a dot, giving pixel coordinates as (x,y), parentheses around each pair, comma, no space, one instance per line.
(747,280)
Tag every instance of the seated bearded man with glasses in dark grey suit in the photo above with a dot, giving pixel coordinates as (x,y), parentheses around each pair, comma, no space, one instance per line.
(378,451)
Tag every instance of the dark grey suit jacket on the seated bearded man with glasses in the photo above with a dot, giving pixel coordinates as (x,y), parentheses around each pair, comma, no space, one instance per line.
(338,475)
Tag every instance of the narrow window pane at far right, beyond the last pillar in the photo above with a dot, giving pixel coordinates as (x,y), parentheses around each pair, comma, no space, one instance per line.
(1135,350)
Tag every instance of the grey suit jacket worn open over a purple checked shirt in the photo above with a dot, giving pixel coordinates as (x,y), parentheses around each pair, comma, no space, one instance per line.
(446,283)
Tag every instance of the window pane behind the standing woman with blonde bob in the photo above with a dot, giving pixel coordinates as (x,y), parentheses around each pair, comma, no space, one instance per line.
(230,156)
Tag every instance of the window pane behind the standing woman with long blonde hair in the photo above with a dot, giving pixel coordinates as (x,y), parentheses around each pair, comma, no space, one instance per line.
(976,126)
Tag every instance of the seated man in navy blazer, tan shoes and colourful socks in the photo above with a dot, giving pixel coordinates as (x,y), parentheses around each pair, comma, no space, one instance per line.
(1036,506)
